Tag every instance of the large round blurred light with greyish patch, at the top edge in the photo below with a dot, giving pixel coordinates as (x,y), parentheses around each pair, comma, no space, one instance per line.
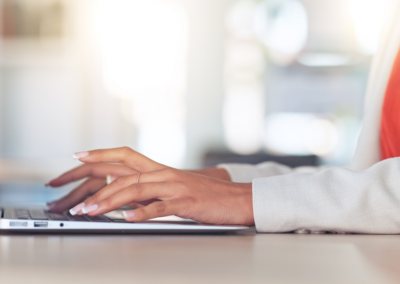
(282,26)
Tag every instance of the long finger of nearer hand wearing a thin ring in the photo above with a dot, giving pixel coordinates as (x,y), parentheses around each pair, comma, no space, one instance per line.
(125,181)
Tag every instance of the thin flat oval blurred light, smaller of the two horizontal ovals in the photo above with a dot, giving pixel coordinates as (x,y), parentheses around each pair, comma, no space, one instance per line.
(324,59)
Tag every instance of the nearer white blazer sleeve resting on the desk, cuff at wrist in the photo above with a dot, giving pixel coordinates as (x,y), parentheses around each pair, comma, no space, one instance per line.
(333,199)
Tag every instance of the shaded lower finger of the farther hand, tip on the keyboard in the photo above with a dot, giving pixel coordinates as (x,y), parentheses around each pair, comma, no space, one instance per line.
(79,194)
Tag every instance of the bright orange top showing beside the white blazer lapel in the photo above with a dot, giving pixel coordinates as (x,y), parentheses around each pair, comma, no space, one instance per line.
(390,122)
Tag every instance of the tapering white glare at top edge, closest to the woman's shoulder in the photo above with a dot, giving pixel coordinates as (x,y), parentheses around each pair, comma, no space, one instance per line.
(368,16)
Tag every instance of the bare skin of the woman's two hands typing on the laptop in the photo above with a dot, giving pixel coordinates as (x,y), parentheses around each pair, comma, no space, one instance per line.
(206,196)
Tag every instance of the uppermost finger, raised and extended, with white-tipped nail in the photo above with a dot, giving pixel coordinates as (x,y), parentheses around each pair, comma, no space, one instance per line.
(123,155)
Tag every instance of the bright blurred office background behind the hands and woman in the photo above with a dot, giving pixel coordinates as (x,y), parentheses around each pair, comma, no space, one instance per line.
(189,83)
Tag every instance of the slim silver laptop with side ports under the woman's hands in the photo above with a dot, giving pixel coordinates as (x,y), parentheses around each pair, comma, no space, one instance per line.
(38,220)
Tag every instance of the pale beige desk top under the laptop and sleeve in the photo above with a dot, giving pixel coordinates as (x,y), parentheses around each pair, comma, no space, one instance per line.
(233,258)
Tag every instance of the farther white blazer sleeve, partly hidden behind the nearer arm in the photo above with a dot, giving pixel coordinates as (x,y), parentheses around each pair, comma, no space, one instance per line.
(246,173)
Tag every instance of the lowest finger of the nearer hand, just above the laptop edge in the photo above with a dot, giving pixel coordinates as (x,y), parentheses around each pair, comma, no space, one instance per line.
(154,210)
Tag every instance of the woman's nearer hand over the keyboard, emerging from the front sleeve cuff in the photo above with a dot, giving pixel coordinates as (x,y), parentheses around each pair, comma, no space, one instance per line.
(181,193)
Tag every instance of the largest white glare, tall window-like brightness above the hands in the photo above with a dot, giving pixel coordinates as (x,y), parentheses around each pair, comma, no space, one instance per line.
(144,47)
